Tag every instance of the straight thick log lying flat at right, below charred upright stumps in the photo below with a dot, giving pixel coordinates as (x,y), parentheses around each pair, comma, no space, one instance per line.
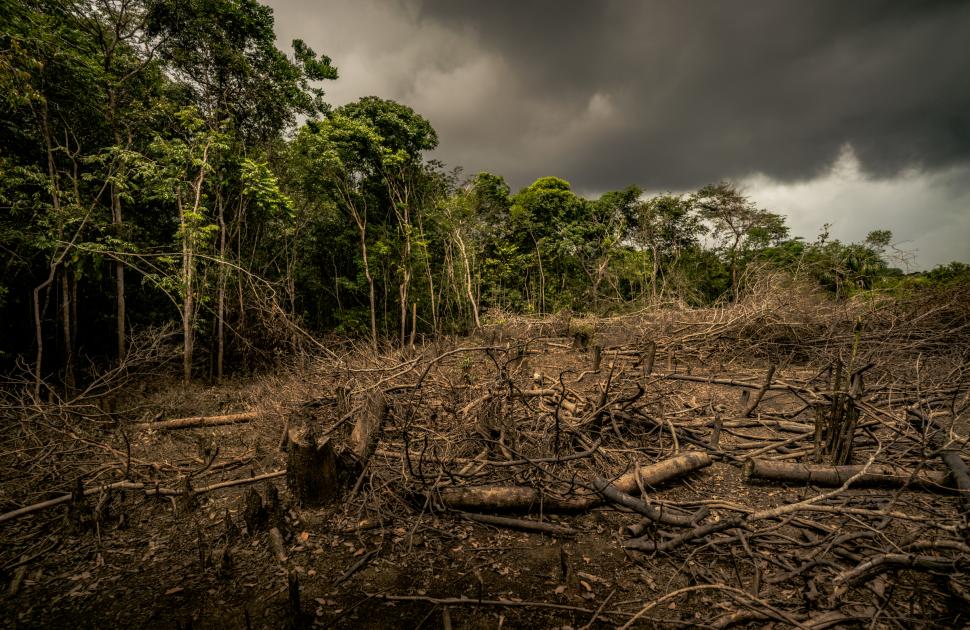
(835,476)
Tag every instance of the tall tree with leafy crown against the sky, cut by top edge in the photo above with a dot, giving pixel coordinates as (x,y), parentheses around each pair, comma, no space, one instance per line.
(224,53)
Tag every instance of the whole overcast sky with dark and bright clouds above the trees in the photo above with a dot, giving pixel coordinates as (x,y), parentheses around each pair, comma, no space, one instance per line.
(853,114)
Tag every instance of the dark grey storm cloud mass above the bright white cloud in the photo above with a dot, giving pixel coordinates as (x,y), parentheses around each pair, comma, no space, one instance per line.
(704,90)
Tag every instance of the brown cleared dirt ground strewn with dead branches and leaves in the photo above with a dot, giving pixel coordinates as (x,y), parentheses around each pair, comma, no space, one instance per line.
(518,405)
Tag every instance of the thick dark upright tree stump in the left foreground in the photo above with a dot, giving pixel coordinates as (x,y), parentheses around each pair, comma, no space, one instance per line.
(311,469)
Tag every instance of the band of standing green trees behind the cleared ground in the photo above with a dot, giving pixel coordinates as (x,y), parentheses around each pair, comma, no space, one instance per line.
(164,164)
